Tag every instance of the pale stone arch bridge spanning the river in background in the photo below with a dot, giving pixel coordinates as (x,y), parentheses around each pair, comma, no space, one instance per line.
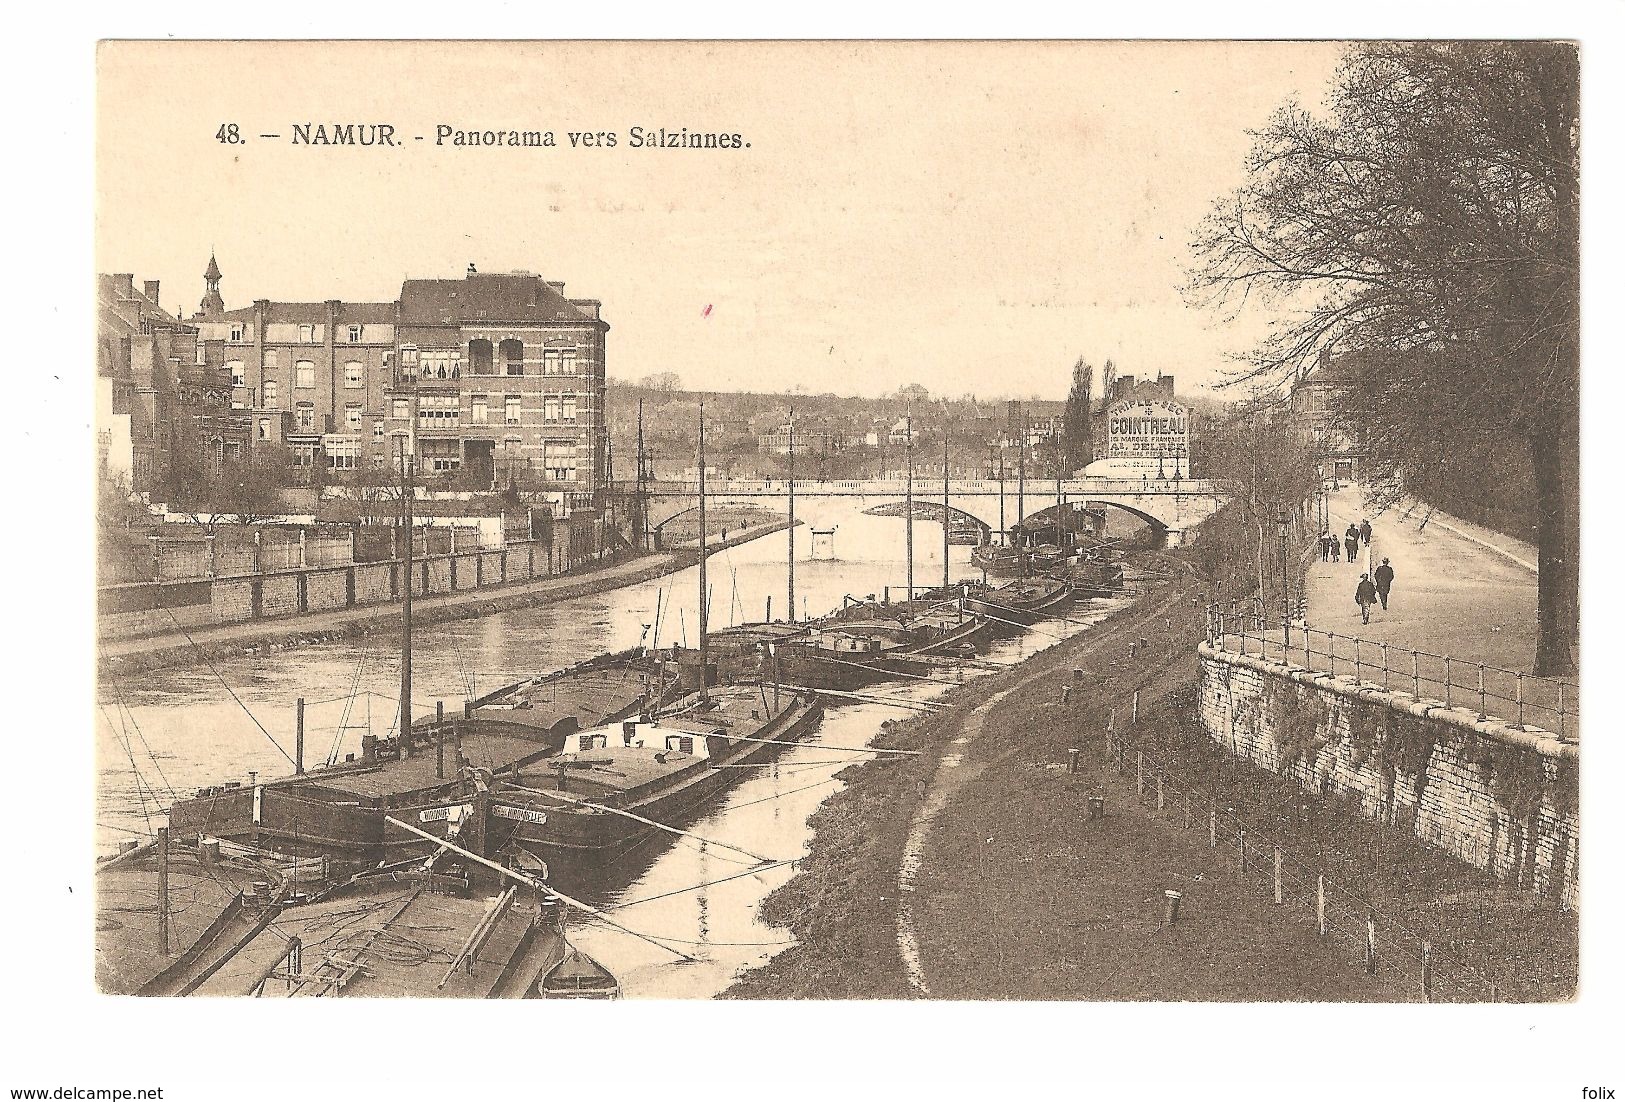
(1171,506)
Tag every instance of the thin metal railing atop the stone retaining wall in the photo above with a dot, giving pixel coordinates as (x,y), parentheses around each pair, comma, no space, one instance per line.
(1515,698)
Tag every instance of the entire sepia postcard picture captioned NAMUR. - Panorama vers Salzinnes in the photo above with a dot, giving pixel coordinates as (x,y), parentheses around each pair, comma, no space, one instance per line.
(1070,524)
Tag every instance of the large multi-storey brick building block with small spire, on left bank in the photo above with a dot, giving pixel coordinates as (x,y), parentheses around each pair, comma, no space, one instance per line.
(487,381)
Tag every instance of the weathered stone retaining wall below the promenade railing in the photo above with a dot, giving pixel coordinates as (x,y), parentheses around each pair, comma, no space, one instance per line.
(1499,797)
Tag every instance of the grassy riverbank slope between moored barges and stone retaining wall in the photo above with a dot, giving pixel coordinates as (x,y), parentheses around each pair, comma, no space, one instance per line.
(1020,895)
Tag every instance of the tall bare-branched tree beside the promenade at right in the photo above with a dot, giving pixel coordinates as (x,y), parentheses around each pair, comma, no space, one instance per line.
(1431,227)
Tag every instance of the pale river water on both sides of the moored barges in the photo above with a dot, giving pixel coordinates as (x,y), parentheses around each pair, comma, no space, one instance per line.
(173,731)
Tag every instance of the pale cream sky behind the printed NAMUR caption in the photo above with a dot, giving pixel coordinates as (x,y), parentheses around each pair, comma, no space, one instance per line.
(964,217)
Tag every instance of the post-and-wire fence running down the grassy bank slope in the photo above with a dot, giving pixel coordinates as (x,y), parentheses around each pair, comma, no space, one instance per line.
(1343,919)
